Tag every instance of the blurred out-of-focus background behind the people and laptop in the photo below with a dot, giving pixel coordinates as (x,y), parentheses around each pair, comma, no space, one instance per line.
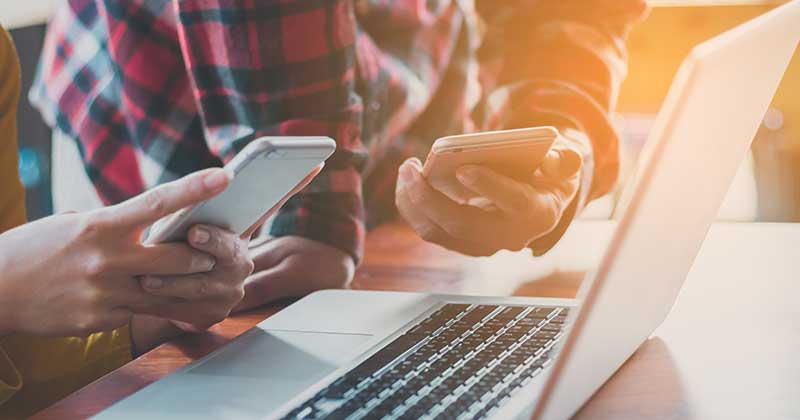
(767,187)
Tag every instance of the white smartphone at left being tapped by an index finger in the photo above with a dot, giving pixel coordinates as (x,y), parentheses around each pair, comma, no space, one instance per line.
(264,172)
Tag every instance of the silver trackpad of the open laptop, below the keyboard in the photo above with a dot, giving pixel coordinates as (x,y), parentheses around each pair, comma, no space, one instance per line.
(252,376)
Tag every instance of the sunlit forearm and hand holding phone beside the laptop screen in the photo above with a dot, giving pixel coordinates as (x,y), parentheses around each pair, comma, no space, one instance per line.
(554,63)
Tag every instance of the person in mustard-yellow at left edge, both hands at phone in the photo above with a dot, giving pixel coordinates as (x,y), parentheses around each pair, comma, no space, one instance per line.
(80,295)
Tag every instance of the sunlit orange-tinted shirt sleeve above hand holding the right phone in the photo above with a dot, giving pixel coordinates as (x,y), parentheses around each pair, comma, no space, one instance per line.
(561,63)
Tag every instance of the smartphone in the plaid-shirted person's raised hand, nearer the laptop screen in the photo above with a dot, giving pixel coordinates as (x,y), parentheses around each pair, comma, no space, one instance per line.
(515,153)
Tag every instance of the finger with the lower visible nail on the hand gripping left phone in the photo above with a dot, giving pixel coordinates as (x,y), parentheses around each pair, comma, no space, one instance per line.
(192,287)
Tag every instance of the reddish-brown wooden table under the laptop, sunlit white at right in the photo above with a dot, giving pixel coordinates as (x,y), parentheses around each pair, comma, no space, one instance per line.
(729,349)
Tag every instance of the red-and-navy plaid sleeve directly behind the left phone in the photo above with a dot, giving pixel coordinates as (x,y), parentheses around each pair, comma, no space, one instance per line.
(283,69)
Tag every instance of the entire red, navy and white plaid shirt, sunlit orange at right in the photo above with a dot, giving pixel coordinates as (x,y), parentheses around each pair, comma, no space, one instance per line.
(155,89)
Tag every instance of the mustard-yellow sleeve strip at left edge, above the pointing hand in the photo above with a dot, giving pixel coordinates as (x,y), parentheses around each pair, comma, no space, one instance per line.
(12,194)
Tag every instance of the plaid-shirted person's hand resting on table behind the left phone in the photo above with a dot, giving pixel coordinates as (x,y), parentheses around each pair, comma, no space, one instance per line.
(292,266)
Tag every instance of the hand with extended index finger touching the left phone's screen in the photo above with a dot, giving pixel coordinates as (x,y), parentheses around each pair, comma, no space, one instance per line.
(75,274)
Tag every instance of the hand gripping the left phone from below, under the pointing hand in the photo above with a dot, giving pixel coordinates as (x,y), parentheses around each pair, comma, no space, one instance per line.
(205,299)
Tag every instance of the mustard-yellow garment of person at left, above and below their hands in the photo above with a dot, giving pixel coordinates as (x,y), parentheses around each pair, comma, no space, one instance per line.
(35,371)
